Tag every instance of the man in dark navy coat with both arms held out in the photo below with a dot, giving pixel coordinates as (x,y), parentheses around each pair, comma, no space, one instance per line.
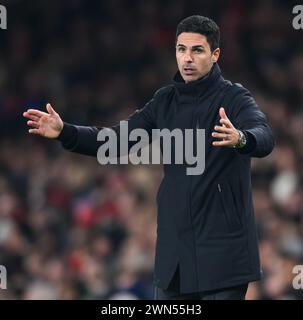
(206,238)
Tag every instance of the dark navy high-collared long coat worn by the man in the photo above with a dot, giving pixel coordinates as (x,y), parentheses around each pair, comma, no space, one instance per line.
(206,222)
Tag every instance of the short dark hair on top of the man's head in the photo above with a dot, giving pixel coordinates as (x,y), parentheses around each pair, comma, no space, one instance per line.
(202,25)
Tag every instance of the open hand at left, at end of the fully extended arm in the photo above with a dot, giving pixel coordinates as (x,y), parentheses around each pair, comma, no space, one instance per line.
(48,125)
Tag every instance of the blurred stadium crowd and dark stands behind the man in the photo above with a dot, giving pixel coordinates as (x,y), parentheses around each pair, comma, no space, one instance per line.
(73,229)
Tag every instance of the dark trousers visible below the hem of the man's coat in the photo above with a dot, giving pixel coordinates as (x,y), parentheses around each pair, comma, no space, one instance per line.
(173,292)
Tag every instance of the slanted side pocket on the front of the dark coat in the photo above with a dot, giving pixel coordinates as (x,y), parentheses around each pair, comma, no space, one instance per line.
(229,207)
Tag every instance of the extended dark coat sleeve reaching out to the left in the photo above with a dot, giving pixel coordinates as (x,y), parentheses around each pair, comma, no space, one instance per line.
(84,139)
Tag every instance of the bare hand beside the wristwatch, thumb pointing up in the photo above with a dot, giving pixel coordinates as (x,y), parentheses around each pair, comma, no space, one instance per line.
(227,132)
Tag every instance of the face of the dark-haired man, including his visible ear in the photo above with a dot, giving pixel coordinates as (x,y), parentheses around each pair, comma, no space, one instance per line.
(194,56)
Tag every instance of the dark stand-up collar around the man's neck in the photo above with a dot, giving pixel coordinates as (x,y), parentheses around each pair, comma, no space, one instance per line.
(197,87)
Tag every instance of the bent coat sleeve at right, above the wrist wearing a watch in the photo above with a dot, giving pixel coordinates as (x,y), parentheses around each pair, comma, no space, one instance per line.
(247,116)
